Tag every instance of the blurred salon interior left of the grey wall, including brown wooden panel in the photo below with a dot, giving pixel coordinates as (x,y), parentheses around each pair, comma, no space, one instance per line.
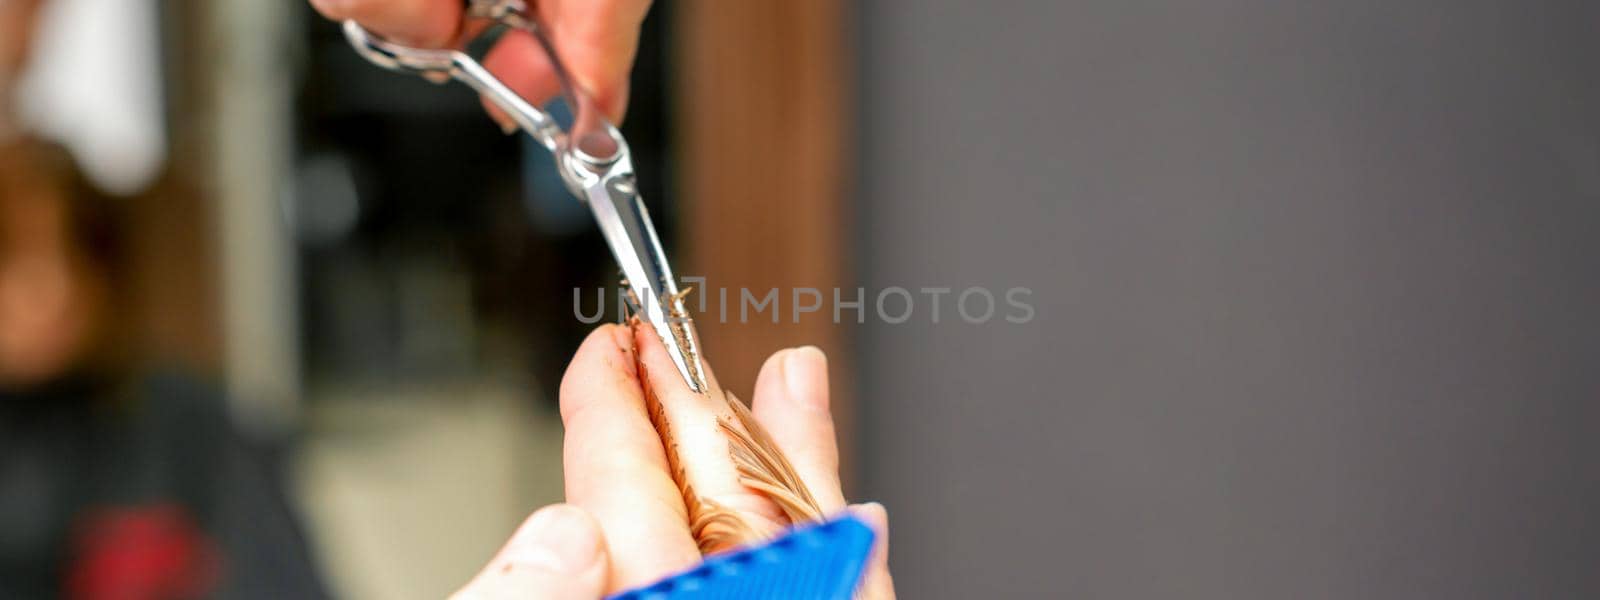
(276,322)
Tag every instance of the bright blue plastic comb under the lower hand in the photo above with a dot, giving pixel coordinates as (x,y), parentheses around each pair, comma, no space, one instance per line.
(820,562)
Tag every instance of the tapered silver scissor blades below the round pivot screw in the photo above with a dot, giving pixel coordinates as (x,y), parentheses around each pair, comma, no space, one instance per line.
(633,239)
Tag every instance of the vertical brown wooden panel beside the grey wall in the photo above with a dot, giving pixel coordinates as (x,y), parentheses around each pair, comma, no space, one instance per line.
(762,121)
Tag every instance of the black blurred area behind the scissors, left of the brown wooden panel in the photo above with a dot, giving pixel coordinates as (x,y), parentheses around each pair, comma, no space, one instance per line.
(431,244)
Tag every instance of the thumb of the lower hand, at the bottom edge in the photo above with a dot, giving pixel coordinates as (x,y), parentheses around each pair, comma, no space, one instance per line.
(558,554)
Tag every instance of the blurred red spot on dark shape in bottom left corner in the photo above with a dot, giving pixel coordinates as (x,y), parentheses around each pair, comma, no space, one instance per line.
(153,553)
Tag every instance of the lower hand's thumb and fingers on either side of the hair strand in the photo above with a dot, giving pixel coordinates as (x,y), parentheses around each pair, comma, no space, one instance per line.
(626,524)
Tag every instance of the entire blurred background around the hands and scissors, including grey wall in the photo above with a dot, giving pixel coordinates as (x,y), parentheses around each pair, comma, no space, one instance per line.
(1314,292)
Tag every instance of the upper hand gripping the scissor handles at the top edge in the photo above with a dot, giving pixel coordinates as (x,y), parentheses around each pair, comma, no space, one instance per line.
(596,38)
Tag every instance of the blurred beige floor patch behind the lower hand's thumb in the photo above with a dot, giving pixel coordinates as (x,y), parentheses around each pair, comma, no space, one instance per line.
(409,490)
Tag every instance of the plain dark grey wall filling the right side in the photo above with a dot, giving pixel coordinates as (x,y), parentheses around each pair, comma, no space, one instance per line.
(1318,295)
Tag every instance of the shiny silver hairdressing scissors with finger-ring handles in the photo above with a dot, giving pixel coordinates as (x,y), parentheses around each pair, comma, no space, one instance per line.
(591,156)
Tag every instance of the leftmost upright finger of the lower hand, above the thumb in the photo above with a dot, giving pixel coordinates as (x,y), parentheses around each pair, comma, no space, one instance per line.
(615,465)
